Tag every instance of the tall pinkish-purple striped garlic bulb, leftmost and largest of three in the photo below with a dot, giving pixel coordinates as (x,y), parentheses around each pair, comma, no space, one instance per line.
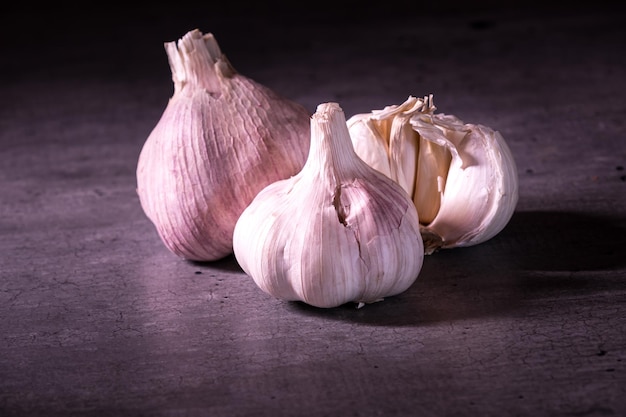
(221,139)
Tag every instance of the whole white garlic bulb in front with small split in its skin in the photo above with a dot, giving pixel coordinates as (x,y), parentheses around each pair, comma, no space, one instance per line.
(338,231)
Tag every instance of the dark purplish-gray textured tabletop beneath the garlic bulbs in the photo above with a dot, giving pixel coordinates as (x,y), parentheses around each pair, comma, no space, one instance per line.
(97,318)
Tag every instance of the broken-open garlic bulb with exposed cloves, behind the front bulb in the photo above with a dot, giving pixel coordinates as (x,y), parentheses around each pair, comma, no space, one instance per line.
(462,177)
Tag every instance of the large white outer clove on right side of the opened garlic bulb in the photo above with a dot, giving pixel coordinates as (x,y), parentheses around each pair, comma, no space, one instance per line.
(481,190)
